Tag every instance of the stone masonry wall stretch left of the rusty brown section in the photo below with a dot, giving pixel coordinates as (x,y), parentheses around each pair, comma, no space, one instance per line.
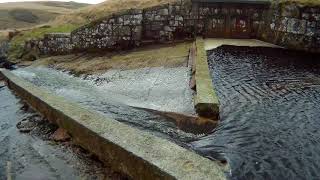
(124,30)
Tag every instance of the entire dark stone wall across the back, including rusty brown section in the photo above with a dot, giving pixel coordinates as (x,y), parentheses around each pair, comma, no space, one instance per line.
(290,25)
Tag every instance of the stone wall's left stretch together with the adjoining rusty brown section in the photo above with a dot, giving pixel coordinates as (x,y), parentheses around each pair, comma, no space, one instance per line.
(160,24)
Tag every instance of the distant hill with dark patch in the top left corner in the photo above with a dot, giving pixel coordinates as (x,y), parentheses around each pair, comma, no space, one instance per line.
(18,15)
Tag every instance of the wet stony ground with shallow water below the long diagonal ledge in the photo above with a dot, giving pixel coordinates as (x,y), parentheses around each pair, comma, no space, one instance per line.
(28,152)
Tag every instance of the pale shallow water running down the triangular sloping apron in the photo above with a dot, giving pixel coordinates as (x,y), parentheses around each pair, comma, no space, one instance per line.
(116,94)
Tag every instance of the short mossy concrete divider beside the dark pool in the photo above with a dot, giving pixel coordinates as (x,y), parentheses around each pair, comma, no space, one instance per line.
(206,100)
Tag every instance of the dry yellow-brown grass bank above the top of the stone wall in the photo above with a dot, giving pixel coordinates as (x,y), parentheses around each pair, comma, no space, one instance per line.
(106,8)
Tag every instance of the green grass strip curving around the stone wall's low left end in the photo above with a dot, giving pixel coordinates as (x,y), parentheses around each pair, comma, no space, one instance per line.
(17,43)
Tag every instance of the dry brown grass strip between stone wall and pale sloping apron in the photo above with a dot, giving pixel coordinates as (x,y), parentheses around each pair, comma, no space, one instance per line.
(153,56)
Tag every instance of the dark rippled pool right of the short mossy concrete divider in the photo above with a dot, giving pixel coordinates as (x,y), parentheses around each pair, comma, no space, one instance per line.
(270,113)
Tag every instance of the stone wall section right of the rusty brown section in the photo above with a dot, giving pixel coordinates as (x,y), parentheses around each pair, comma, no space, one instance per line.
(292,25)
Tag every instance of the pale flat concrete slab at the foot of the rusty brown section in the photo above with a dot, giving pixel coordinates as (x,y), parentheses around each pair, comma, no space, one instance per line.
(213,43)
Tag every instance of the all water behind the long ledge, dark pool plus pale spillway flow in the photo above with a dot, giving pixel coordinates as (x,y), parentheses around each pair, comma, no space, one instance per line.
(270,104)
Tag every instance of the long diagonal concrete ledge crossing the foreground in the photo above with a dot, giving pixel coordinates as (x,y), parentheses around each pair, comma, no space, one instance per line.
(138,154)
